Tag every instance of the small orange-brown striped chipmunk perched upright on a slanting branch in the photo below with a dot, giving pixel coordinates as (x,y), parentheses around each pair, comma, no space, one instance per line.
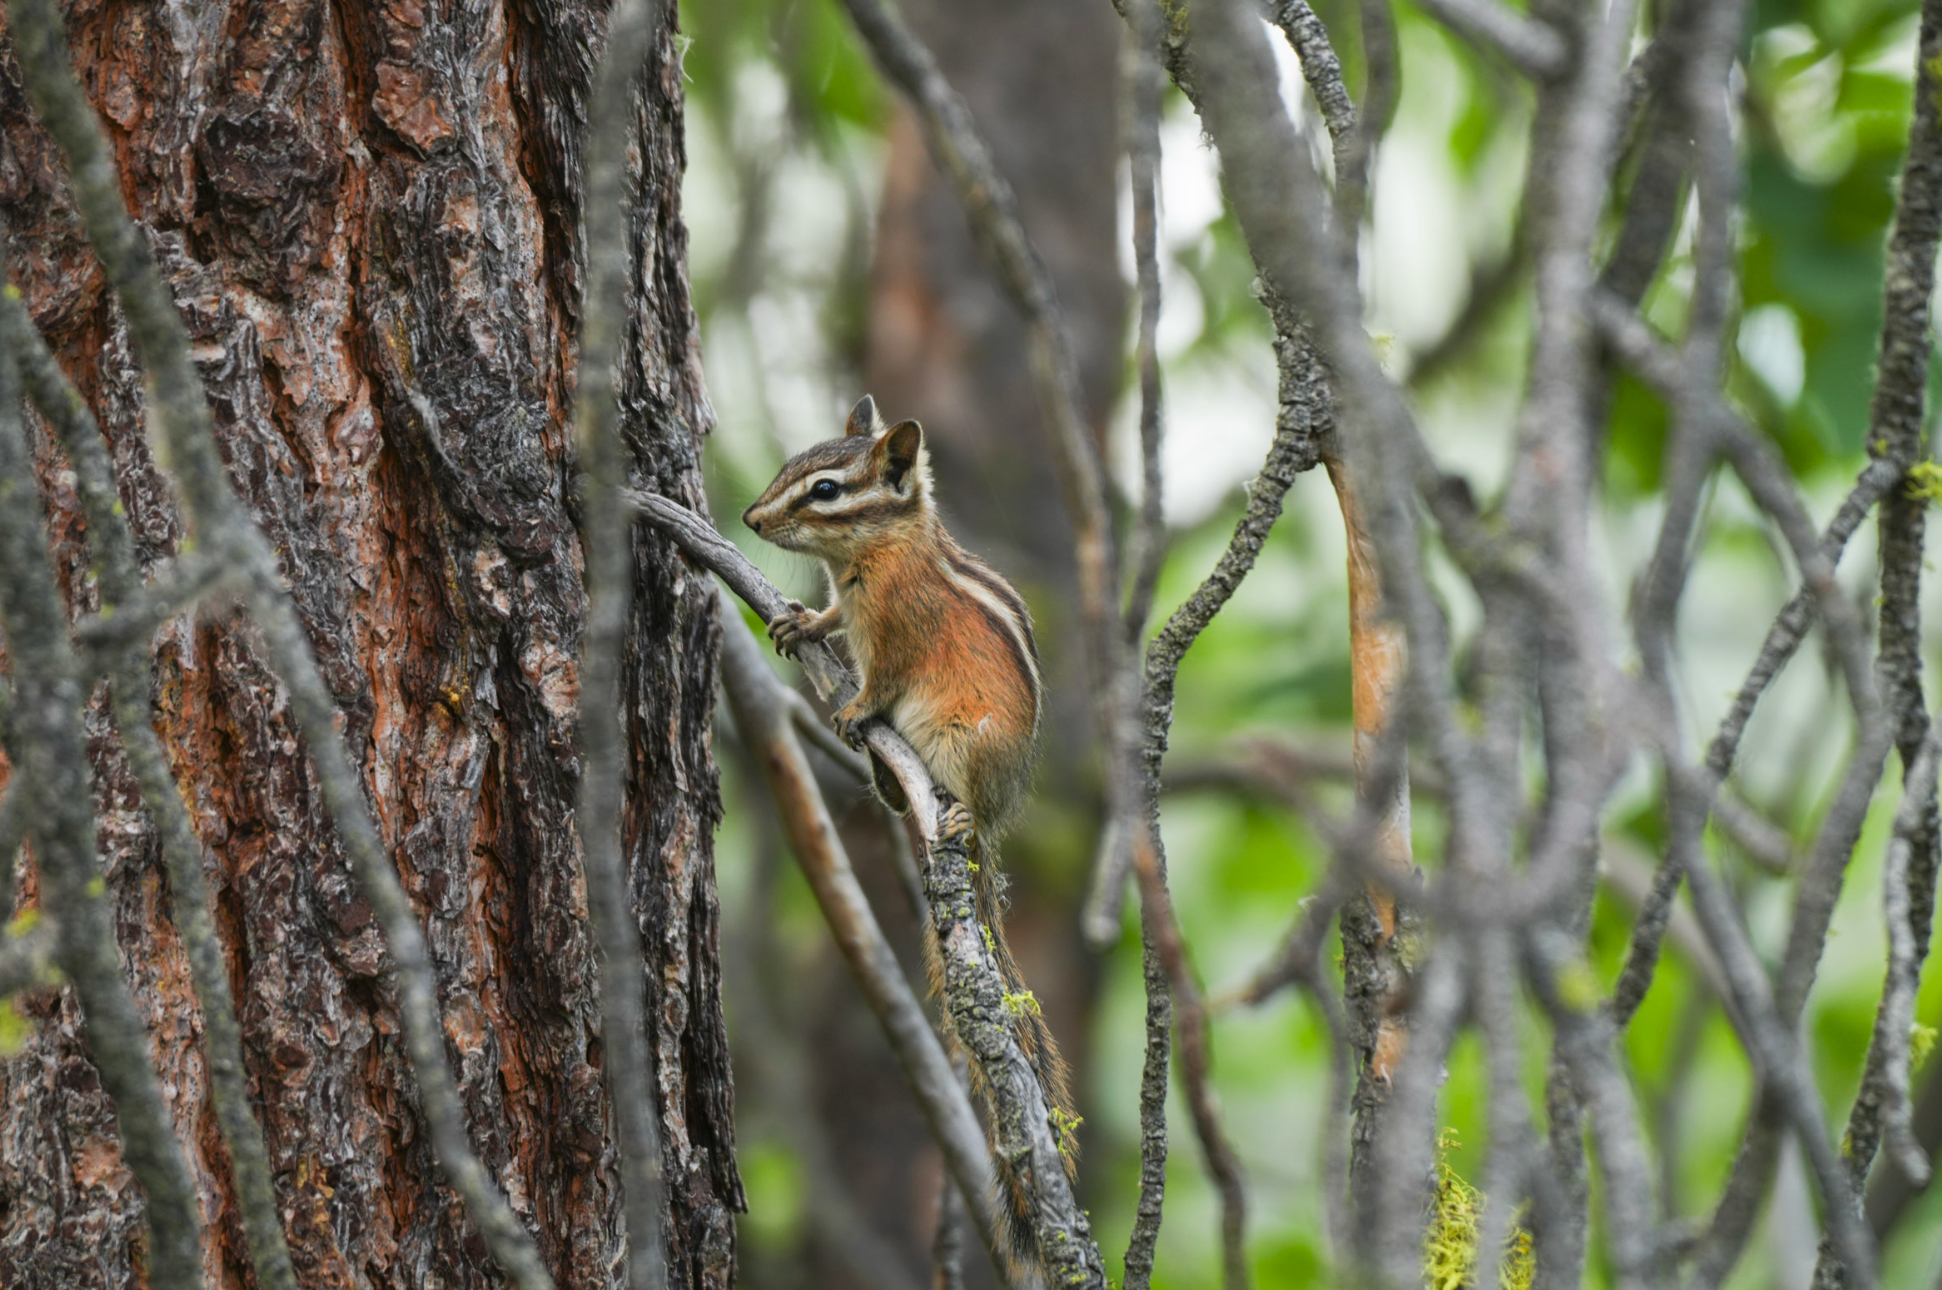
(949,660)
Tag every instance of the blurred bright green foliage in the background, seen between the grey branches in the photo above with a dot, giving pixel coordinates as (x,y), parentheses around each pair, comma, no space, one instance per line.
(789,116)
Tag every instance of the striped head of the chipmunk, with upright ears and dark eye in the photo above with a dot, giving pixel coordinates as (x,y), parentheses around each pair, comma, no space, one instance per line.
(840,496)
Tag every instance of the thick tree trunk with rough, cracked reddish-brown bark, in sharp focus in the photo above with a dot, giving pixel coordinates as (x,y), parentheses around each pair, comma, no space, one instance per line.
(366,215)
